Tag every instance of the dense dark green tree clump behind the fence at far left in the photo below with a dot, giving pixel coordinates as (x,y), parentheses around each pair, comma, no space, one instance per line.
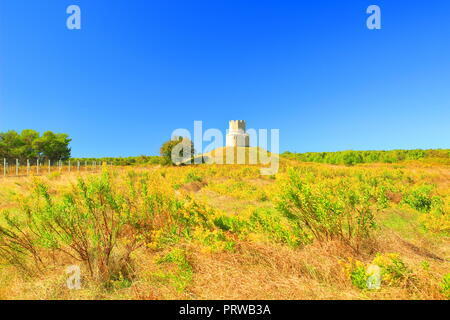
(30,144)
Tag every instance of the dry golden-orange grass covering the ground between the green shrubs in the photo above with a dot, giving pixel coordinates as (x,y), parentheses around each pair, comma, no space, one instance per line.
(257,267)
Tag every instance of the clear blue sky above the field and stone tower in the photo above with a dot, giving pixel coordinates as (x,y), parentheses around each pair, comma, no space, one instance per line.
(138,69)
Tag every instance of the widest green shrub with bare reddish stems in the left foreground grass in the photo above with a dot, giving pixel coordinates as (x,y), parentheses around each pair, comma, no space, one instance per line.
(95,223)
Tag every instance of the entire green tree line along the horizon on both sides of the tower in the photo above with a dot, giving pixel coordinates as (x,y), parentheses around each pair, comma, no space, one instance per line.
(30,144)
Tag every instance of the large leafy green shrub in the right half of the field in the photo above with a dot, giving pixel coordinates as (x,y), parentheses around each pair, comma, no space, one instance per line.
(327,210)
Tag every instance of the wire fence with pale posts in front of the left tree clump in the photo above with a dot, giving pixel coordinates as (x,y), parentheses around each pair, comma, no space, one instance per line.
(17,168)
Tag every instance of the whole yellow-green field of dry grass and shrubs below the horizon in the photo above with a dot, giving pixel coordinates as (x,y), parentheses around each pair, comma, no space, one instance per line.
(226,232)
